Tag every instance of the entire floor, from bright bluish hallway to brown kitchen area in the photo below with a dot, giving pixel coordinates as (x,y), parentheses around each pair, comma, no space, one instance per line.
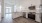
(8,19)
